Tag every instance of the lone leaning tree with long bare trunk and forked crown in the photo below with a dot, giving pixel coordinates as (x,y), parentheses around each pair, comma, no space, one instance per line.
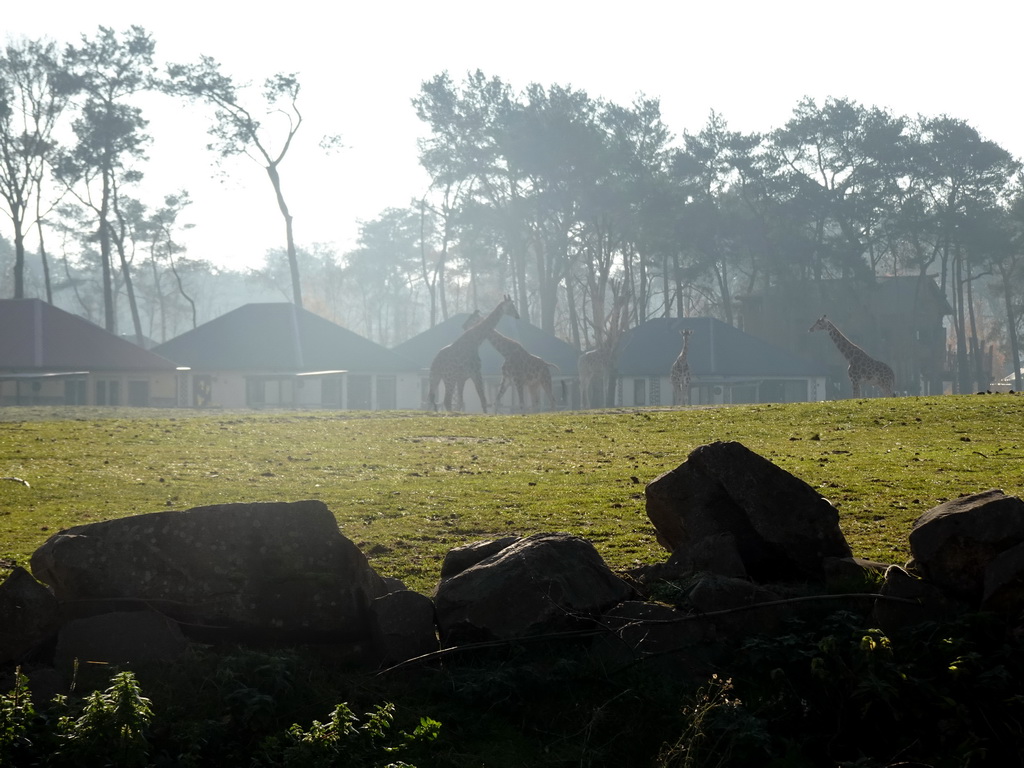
(238,132)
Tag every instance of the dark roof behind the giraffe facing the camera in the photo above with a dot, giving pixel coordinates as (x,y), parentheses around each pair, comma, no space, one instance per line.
(715,350)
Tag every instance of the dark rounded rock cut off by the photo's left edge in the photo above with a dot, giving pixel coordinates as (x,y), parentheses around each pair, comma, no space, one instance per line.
(29,616)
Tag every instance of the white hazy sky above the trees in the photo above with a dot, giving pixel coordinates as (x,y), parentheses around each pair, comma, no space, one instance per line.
(361,64)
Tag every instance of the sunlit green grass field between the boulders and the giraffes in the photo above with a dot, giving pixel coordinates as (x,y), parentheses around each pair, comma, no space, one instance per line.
(409,487)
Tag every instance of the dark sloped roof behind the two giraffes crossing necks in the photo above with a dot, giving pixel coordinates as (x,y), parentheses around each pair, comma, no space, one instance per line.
(422,348)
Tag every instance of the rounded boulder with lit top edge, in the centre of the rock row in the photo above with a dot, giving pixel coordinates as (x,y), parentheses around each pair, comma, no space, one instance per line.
(541,584)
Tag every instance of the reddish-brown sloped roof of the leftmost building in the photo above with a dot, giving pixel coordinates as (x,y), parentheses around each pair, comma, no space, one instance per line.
(40,337)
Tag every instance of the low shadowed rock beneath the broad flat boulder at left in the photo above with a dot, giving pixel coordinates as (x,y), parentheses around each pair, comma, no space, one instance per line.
(122,637)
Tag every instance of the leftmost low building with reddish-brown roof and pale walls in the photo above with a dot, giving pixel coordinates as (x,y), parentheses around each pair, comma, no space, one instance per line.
(52,358)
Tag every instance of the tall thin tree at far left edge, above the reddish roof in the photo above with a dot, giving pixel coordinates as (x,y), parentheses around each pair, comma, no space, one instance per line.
(31,105)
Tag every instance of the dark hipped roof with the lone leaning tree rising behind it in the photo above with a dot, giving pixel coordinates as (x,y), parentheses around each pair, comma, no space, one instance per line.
(279,337)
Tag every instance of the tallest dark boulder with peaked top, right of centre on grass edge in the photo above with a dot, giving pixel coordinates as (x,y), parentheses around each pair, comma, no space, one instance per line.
(727,507)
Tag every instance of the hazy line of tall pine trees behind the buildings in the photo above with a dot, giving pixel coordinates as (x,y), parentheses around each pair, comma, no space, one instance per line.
(588,212)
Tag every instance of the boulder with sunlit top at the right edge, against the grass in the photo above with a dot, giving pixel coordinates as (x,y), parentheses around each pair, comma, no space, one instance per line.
(953,545)
